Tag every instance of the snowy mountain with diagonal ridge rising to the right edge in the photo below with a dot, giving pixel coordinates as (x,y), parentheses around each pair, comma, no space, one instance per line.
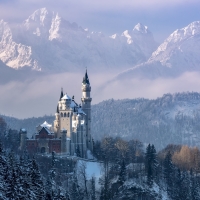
(179,53)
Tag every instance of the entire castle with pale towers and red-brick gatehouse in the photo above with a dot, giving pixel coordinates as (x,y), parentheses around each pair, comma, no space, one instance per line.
(71,130)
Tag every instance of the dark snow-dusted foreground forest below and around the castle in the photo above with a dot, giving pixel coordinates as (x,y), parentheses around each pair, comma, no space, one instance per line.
(130,170)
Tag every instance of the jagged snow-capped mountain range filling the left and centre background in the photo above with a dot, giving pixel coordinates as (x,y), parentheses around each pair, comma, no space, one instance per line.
(46,41)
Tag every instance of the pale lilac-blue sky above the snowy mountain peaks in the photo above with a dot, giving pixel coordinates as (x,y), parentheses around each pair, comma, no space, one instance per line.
(111,16)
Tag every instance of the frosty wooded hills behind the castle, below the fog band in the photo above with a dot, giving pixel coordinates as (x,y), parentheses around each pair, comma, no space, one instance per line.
(171,119)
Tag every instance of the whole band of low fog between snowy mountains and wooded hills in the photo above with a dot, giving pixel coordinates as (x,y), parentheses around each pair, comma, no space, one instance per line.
(40,97)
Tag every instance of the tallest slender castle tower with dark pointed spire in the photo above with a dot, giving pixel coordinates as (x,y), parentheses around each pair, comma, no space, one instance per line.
(86,106)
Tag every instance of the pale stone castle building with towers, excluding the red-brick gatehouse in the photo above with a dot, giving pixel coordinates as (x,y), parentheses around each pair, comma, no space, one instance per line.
(75,119)
